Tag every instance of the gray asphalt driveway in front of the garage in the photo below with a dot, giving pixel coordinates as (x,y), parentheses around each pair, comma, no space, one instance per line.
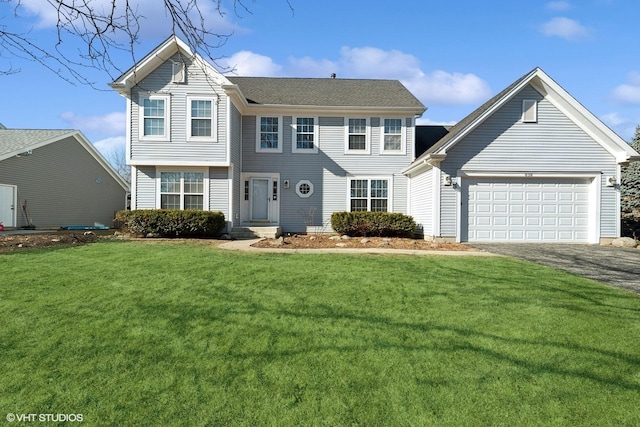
(619,267)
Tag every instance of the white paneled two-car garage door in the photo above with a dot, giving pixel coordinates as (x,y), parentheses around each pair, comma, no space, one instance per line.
(528,210)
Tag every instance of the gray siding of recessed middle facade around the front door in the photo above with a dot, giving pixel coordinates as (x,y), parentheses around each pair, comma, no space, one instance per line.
(327,170)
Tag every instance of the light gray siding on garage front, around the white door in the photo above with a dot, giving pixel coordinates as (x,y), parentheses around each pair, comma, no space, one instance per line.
(553,144)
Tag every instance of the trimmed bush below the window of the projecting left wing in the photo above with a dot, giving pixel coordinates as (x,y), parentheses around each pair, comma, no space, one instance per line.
(173,222)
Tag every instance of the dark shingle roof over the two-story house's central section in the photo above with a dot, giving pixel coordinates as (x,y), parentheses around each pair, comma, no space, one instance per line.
(326,92)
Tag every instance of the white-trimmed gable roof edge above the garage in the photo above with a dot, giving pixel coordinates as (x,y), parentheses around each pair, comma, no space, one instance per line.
(560,98)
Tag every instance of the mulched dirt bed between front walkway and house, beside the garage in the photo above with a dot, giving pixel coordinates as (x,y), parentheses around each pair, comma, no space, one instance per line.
(302,241)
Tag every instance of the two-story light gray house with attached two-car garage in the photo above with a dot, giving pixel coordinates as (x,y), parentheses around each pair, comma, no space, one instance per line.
(283,154)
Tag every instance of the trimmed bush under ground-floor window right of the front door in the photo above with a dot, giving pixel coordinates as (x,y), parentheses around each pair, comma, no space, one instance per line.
(375,224)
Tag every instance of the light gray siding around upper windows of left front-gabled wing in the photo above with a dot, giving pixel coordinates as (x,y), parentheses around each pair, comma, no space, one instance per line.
(178,149)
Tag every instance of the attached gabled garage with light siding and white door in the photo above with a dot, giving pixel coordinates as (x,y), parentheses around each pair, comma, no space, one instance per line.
(529,165)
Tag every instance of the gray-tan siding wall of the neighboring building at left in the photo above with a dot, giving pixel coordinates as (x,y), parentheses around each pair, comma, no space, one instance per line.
(63,184)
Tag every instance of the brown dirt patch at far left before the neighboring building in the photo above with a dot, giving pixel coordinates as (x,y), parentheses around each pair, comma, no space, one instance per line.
(19,242)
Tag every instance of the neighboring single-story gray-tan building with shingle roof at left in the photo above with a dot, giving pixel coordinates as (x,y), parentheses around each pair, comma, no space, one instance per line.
(54,178)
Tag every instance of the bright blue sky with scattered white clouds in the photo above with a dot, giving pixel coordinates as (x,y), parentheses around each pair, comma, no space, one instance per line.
(453,55)
